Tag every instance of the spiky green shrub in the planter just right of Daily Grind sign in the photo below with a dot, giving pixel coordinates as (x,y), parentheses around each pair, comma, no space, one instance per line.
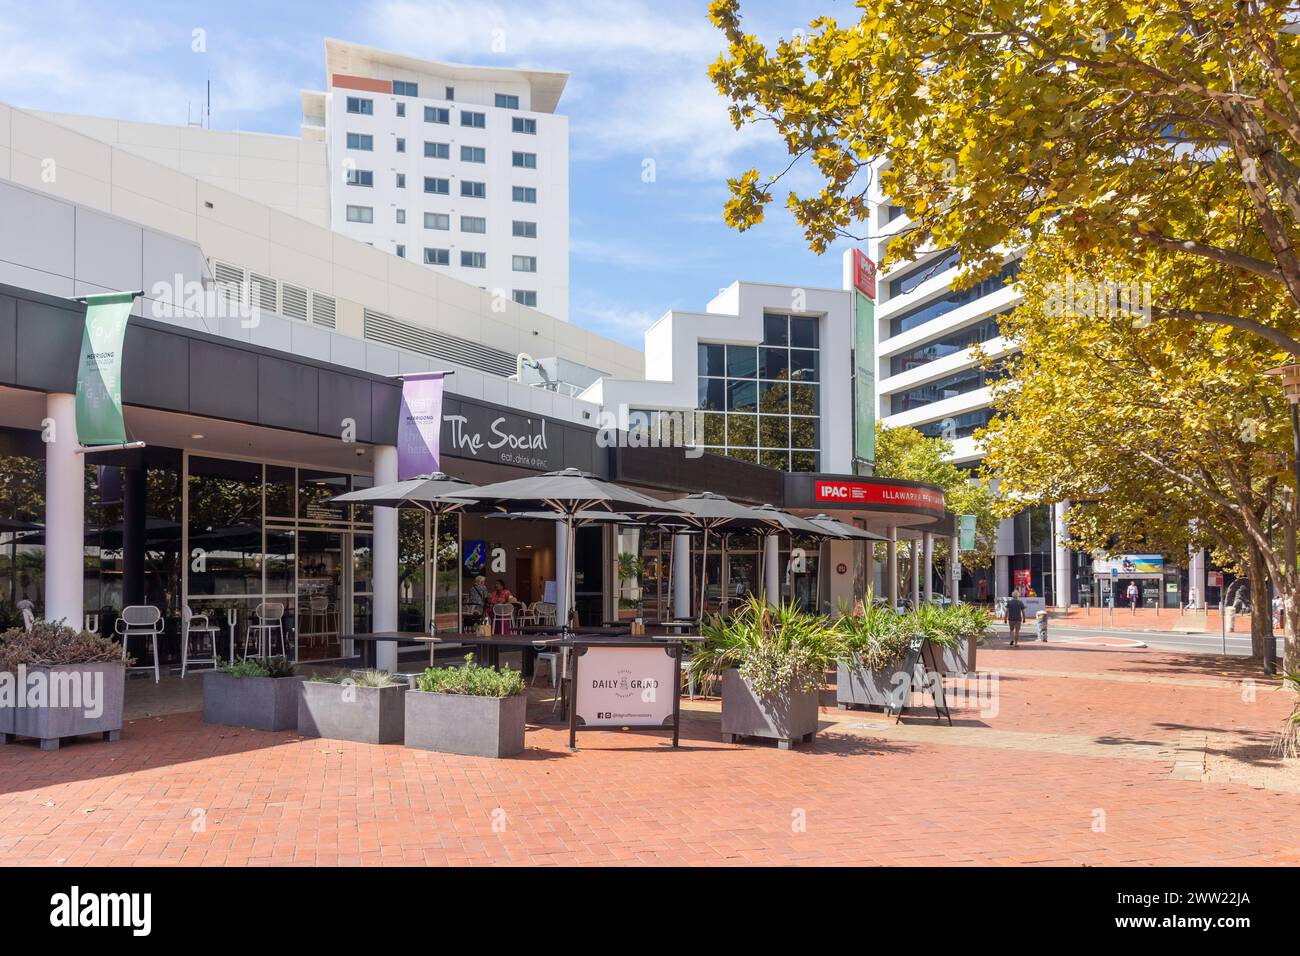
(773,648)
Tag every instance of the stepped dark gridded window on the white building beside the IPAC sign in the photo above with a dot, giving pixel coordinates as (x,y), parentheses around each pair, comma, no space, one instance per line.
(761,404)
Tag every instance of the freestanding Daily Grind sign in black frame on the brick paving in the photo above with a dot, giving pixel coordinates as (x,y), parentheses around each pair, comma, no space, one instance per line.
(626,684)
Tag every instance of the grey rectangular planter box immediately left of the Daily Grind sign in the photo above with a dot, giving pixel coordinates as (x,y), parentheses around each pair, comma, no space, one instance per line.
(460,724)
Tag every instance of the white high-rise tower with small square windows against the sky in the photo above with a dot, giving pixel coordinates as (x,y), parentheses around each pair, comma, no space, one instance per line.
(461,168)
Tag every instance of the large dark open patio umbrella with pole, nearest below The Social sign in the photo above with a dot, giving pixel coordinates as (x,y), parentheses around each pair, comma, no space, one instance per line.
(566,494)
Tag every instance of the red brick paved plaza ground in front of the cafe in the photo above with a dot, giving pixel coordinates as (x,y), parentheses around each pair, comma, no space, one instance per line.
(1095,756)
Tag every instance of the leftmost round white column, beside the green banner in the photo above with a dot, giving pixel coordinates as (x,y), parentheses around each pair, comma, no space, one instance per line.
(66,512)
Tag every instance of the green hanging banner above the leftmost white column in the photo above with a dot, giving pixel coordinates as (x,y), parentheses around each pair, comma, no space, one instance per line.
(99,374)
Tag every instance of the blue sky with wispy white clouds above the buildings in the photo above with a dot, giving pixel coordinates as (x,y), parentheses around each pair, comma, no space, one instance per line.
(639,90)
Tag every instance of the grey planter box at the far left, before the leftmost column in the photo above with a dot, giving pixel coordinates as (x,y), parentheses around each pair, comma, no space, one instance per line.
(75,687)
